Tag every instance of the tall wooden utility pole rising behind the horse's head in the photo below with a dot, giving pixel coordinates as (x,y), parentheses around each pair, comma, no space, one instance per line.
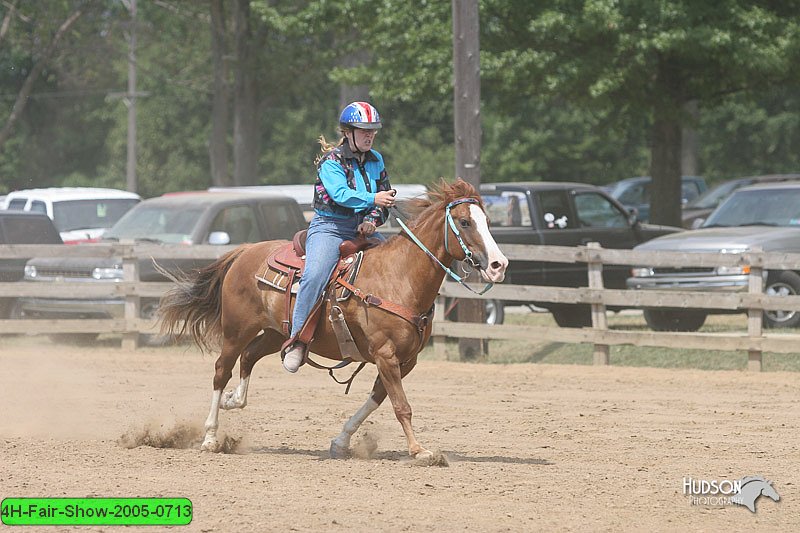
(467,111)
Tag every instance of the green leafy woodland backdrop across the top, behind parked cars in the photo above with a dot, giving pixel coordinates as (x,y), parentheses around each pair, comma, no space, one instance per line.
(570,89)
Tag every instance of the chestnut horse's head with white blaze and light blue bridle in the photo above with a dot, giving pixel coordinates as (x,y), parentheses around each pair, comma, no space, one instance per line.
(467,236)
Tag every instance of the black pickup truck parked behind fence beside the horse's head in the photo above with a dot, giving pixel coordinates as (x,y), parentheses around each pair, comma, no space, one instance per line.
(562,214)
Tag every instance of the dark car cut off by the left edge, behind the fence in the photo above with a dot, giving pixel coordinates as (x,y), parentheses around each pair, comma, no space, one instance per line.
(18,227)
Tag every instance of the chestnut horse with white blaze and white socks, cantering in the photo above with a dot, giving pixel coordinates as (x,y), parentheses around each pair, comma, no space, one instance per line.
(223,305)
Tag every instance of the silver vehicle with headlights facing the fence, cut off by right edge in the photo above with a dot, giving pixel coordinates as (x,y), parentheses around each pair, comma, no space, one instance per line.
(765,216)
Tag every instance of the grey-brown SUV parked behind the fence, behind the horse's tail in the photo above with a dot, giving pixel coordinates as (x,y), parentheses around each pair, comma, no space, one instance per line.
(188,219)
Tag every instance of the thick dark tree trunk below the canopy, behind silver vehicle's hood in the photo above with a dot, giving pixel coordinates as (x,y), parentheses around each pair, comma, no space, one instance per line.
(665,169)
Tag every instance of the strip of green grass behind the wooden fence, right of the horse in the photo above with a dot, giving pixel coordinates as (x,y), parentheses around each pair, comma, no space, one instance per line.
(506,351)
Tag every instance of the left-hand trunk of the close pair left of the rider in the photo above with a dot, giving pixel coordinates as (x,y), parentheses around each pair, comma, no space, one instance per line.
(220,114)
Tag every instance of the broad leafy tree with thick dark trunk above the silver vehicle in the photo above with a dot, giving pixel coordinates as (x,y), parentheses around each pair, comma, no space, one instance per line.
(643,59)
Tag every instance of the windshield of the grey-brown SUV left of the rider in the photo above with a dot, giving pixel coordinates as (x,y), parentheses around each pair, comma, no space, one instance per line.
(160,223)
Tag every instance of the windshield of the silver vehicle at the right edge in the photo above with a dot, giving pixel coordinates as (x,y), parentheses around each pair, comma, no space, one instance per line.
(771,207)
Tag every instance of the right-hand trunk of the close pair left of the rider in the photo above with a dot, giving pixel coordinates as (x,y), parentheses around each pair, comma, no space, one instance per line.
(246,134)
